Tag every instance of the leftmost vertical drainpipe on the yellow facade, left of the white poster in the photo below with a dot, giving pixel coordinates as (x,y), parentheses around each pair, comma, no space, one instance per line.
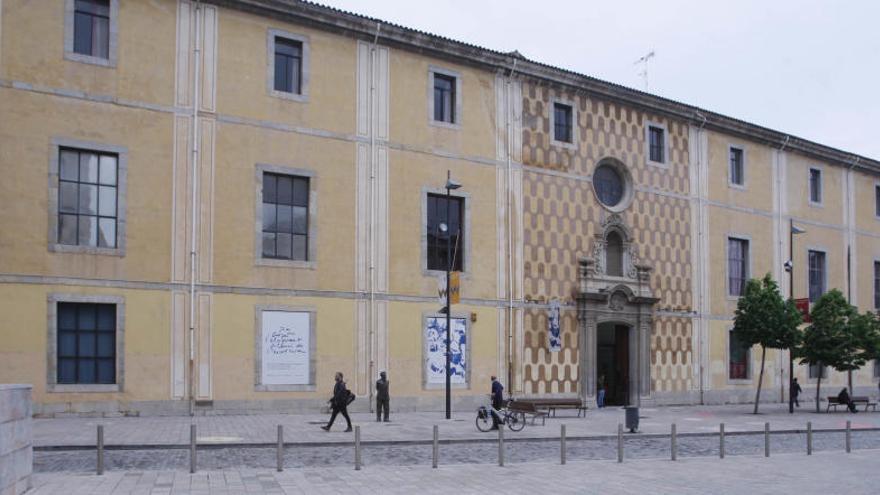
(193,207)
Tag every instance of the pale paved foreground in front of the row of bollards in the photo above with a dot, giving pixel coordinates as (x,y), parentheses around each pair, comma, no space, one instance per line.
(822,473)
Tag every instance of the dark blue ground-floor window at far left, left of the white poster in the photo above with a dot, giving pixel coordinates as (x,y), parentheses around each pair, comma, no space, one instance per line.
(86,343)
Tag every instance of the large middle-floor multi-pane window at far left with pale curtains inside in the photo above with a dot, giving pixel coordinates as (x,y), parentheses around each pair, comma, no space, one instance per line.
(87,198)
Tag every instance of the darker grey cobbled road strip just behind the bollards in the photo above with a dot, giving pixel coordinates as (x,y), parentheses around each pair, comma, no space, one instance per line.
(84,461)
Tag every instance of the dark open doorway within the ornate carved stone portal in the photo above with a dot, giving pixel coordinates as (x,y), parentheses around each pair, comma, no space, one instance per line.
(612,362)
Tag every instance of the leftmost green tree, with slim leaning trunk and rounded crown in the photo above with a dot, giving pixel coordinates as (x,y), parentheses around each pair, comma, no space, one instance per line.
(764,318)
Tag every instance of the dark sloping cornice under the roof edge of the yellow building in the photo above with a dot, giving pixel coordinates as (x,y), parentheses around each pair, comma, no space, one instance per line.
(366,28)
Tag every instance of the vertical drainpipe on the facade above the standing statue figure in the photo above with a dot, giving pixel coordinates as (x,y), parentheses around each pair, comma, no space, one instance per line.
(371,347)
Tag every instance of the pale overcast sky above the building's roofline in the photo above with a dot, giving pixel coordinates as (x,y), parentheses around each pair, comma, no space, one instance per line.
(808,68)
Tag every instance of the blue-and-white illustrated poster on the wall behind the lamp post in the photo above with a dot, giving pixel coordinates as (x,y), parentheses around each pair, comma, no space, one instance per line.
(435,350)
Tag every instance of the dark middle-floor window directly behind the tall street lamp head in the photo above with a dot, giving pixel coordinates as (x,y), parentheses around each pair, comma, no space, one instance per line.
(449,242)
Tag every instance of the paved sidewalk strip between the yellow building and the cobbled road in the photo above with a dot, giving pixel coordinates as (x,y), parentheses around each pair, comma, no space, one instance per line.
(417,426)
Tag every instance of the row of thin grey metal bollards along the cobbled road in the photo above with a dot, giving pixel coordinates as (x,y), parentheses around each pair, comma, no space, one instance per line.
(358,462)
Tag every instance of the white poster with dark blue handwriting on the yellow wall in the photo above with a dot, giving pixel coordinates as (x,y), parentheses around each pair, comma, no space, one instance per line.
(285,348)
